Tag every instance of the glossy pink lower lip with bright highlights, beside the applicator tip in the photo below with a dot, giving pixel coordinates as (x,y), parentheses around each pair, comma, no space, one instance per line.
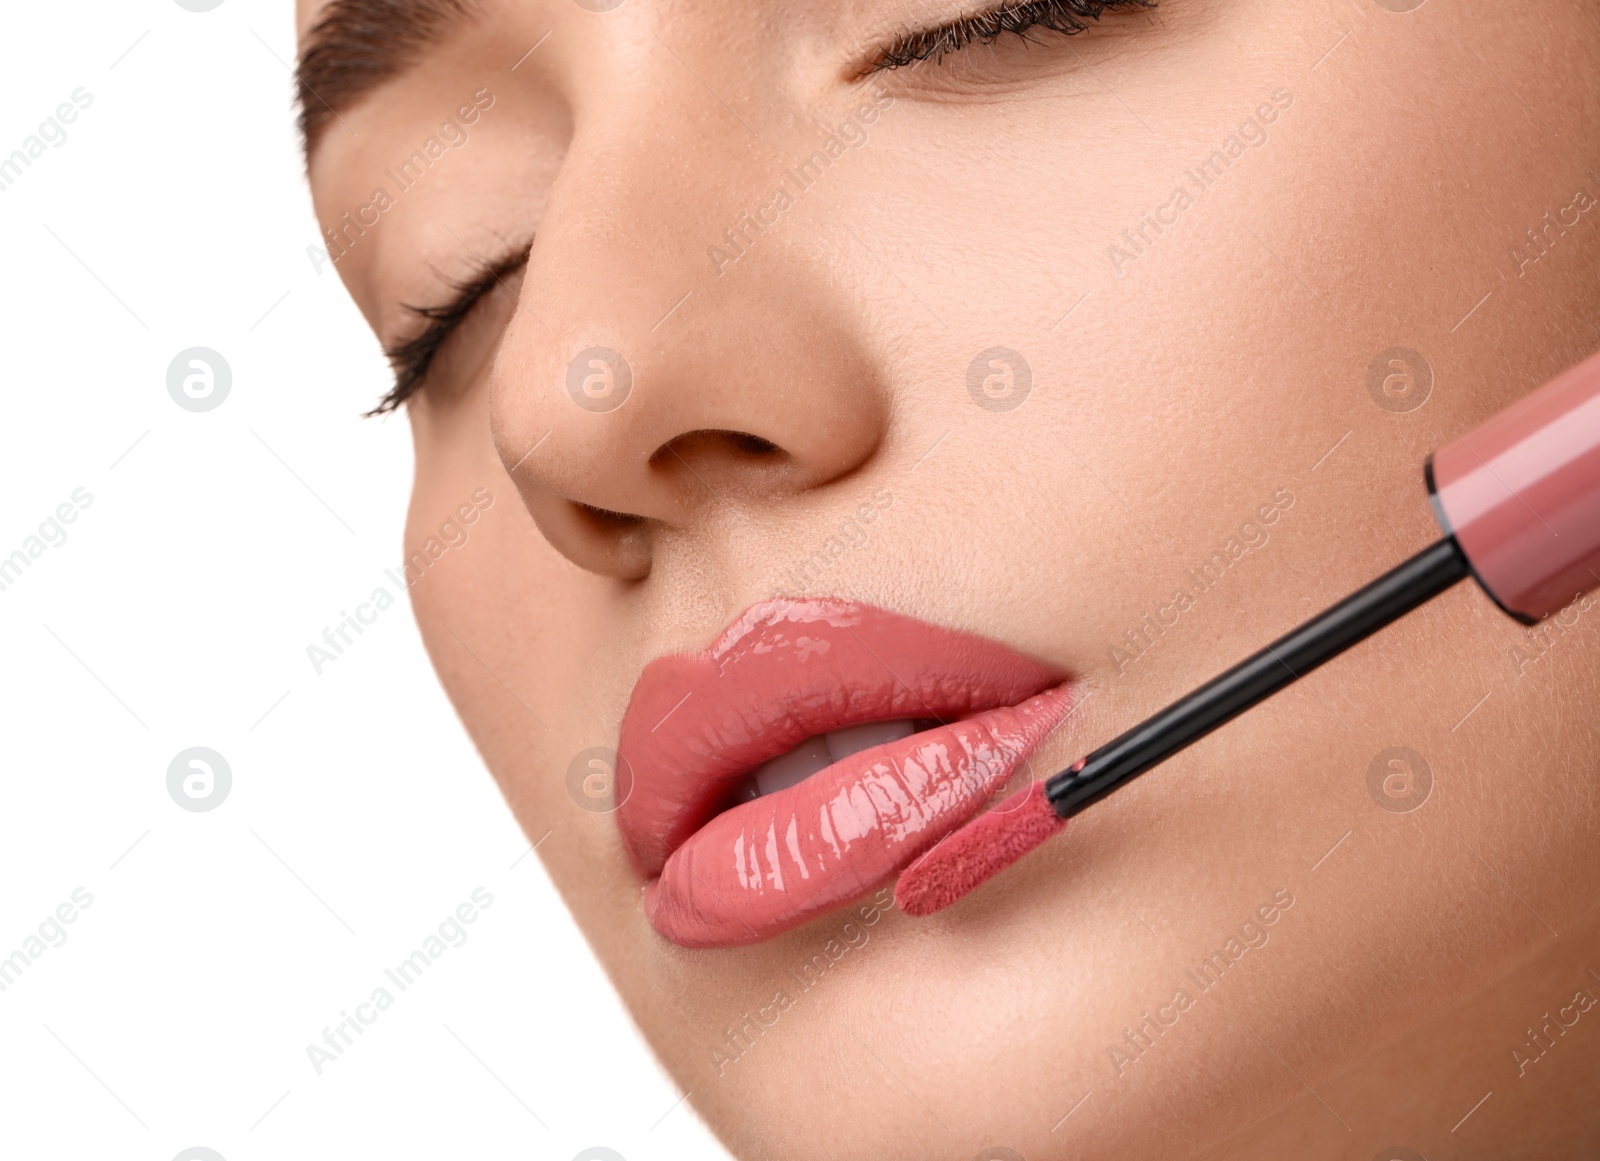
(783,860)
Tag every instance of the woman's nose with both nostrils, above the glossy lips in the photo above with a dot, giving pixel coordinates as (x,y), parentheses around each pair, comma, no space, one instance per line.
(681,348)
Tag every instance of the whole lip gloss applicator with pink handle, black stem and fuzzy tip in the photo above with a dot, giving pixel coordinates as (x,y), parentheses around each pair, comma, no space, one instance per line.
(1519,505)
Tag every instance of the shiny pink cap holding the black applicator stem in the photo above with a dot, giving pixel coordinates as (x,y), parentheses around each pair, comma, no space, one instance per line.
(1521,493)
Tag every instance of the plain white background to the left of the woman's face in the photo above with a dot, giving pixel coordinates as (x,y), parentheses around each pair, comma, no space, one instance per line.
(178,613)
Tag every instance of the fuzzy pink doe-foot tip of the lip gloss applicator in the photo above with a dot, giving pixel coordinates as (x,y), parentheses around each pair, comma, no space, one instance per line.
(978,852)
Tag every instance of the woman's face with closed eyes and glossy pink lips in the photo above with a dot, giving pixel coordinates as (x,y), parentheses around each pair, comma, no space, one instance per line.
(1119,353)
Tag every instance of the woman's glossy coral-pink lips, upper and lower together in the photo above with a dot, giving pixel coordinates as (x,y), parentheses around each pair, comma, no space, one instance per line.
(786,671)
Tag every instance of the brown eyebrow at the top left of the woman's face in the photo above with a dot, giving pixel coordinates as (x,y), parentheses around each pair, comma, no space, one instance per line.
(358,46)
